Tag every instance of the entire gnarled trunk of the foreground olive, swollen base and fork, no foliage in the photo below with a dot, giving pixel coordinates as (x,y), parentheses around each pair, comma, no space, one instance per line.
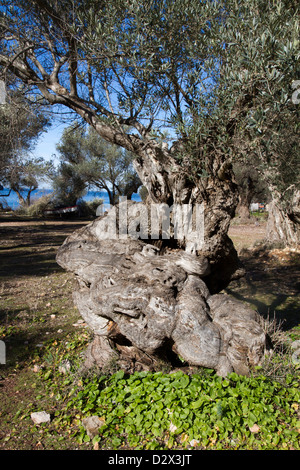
(159,297)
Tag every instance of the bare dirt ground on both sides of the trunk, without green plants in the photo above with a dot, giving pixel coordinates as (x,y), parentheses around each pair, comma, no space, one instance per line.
(36,303)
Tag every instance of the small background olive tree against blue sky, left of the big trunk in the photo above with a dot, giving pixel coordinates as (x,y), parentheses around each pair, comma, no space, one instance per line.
(98,163)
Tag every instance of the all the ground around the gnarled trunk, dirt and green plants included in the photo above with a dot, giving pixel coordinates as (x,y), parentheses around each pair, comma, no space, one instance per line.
(43,332)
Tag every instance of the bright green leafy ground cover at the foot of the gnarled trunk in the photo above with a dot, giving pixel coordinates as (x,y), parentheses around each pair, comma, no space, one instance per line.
(178,410)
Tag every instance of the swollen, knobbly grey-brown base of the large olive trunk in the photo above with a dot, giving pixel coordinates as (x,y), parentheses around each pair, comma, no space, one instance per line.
(146,296)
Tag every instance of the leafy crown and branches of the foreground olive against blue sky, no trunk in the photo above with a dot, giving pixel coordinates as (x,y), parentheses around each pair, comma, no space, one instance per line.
(156,63)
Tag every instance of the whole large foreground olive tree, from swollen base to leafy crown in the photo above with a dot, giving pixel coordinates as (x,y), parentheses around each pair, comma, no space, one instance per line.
(204,71)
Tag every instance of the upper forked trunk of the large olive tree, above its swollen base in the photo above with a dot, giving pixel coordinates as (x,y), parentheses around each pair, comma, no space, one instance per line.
(169,183)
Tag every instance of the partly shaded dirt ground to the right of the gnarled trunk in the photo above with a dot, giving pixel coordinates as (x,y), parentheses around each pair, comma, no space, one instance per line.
(272,281)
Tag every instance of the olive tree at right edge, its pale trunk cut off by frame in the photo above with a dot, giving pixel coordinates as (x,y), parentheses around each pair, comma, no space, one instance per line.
(262,64)
